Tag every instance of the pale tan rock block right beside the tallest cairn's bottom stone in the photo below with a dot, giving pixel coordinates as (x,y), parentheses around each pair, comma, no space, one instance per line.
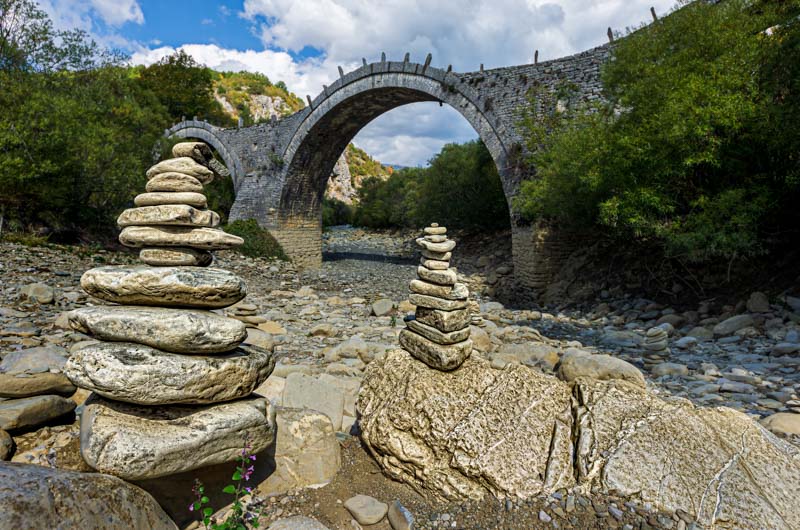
(307,453)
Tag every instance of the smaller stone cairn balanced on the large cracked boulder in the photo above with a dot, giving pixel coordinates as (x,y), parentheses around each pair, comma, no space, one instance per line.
(439,333)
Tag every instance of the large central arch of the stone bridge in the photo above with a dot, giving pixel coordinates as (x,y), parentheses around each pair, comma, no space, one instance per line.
(341,111)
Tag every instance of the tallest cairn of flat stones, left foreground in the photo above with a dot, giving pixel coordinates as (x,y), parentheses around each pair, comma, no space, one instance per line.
(171,379)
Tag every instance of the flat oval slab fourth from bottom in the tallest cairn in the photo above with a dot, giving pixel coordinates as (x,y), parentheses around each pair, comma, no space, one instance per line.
(165,286)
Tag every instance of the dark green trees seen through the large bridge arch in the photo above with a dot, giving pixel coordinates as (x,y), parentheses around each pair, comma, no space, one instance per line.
(460,188)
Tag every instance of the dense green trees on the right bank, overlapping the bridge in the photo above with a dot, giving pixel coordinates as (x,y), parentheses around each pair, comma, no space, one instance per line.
(697,144)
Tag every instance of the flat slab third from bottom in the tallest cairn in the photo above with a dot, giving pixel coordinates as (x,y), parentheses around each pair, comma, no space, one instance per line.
(173,330)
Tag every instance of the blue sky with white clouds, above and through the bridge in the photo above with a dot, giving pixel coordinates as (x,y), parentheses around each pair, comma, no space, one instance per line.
(301,42)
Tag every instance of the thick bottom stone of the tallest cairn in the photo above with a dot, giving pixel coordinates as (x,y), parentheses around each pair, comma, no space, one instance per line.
(136,443)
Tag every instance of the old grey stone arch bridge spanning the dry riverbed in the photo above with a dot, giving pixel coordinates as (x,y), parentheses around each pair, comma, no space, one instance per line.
(280,168)
